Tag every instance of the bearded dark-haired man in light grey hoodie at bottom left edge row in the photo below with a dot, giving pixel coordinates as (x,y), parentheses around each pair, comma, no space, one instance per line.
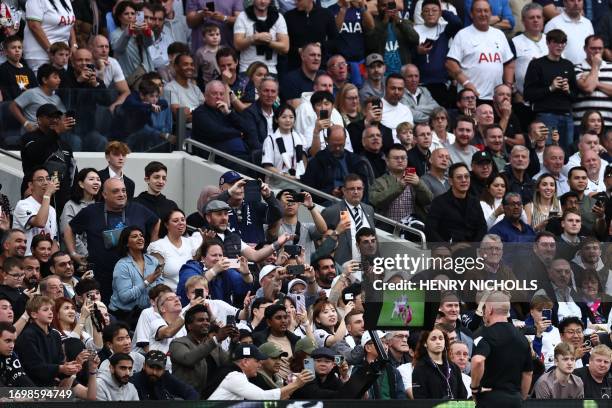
(115,385)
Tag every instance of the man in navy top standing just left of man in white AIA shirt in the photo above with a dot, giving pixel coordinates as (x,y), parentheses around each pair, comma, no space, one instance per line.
(436,27)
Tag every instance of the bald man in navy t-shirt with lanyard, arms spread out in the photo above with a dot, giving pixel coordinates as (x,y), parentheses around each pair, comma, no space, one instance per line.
(103,223)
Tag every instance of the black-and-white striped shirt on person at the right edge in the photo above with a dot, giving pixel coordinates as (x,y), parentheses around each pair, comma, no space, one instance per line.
(597,99)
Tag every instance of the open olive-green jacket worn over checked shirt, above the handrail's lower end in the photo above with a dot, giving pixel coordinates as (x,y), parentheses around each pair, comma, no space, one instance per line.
(386,189)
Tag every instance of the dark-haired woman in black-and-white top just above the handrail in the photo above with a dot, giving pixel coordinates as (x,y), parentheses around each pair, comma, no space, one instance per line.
(277,155)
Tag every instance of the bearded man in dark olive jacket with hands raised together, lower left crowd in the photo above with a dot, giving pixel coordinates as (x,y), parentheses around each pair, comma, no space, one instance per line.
(196,356)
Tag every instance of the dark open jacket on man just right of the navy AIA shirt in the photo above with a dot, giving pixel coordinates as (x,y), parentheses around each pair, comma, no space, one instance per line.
(407,38)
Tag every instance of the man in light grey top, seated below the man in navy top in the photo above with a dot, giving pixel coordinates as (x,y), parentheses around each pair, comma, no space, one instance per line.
(416,97)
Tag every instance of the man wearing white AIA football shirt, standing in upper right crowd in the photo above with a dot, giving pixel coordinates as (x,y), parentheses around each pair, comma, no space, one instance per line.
(491,65)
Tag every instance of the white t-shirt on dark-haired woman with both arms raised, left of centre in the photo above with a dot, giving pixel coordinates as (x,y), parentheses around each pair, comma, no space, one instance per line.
(174,257)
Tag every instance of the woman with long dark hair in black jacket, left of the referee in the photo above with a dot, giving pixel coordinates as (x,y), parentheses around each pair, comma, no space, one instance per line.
(434,376)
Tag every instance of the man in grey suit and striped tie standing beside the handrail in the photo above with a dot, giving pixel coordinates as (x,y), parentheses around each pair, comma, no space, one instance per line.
(354,212)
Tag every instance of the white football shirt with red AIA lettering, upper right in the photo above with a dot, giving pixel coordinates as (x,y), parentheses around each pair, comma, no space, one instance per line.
(481,55)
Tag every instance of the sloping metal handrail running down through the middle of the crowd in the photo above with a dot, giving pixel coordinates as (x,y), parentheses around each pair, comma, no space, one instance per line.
(397,227)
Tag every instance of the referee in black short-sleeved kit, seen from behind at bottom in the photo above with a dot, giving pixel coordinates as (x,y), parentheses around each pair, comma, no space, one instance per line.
(501,359)
